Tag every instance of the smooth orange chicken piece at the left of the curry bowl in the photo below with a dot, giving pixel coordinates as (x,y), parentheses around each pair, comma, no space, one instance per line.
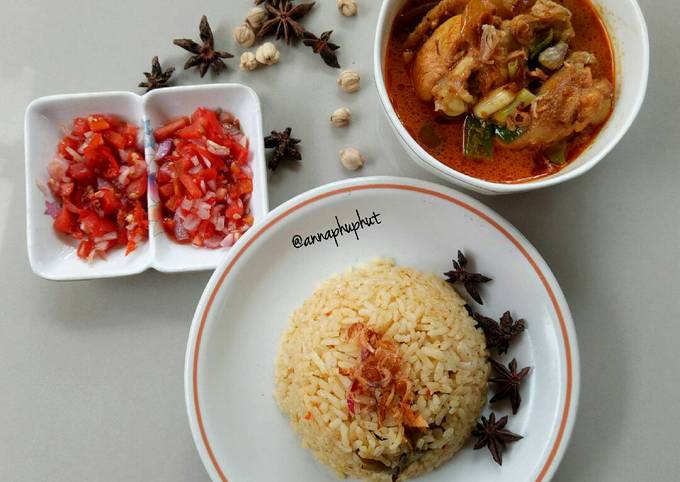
(437,55)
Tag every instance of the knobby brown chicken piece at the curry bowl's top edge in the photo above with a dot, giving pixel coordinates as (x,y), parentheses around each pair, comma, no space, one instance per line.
(543,16)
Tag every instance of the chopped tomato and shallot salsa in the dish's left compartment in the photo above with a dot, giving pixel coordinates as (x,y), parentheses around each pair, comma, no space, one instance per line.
(98,179)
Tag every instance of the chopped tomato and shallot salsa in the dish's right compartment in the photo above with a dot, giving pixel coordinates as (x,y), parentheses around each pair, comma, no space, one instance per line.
(204,178)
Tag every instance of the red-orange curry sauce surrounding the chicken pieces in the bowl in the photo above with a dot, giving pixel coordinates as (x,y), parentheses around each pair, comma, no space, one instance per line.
(442,137)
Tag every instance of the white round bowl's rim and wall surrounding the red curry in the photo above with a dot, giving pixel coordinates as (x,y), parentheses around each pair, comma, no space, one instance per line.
(630,41)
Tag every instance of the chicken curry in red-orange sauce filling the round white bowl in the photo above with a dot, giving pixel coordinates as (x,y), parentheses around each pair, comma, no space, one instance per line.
(501,90)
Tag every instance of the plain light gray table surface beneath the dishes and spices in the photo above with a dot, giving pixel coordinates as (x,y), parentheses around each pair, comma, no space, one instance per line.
(91,372)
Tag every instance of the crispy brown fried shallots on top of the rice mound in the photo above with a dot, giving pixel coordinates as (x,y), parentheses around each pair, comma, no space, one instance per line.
(379,381)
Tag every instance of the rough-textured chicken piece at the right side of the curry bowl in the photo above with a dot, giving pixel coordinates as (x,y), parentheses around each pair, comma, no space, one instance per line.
(567,103)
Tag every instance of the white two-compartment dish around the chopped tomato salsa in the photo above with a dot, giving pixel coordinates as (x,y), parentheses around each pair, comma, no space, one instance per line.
(53,256)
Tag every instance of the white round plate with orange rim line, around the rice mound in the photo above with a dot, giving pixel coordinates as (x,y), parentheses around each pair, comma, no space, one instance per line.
(229,372)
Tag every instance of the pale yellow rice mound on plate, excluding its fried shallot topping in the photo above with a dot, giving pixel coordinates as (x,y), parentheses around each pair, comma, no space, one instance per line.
(444,355)
